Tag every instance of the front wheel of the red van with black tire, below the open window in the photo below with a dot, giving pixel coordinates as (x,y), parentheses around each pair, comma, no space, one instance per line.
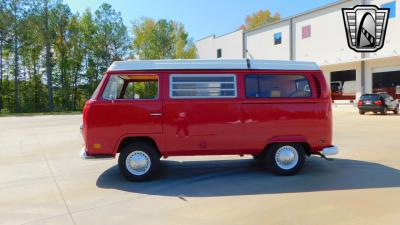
(145,152)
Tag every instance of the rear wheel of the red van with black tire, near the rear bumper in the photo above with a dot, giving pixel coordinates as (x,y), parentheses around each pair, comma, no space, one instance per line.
(275,166)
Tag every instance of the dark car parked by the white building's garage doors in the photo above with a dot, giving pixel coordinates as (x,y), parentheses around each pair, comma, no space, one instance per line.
(378,102)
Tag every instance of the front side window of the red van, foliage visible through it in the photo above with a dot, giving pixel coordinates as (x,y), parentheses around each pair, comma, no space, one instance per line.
(131,87)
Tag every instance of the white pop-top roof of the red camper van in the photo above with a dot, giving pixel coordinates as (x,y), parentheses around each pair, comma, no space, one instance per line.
(217,64)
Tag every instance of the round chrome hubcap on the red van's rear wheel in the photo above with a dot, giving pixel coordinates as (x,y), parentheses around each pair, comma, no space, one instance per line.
(286,157)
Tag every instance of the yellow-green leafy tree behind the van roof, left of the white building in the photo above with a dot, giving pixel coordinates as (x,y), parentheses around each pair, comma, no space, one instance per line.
(161,40)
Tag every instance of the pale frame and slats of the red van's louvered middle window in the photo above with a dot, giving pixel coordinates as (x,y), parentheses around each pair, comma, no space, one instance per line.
(171,89)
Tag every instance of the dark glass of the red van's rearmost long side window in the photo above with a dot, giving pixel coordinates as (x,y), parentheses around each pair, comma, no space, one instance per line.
(277,86)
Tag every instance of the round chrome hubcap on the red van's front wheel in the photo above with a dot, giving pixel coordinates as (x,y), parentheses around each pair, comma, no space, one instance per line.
(138,163)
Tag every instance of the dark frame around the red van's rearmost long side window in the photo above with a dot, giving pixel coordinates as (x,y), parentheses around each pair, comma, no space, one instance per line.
(264,98)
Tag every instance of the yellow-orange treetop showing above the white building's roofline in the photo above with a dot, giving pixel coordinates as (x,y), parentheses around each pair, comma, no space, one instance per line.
(260,18)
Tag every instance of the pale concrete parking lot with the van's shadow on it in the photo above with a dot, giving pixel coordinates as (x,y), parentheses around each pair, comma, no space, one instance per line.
(43,181)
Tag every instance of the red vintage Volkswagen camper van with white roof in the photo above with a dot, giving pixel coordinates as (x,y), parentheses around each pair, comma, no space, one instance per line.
(279,111)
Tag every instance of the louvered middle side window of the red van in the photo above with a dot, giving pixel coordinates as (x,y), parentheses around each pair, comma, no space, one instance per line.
(203,86)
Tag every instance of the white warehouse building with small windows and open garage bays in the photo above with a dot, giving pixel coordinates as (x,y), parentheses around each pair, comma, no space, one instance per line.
(319,35)
